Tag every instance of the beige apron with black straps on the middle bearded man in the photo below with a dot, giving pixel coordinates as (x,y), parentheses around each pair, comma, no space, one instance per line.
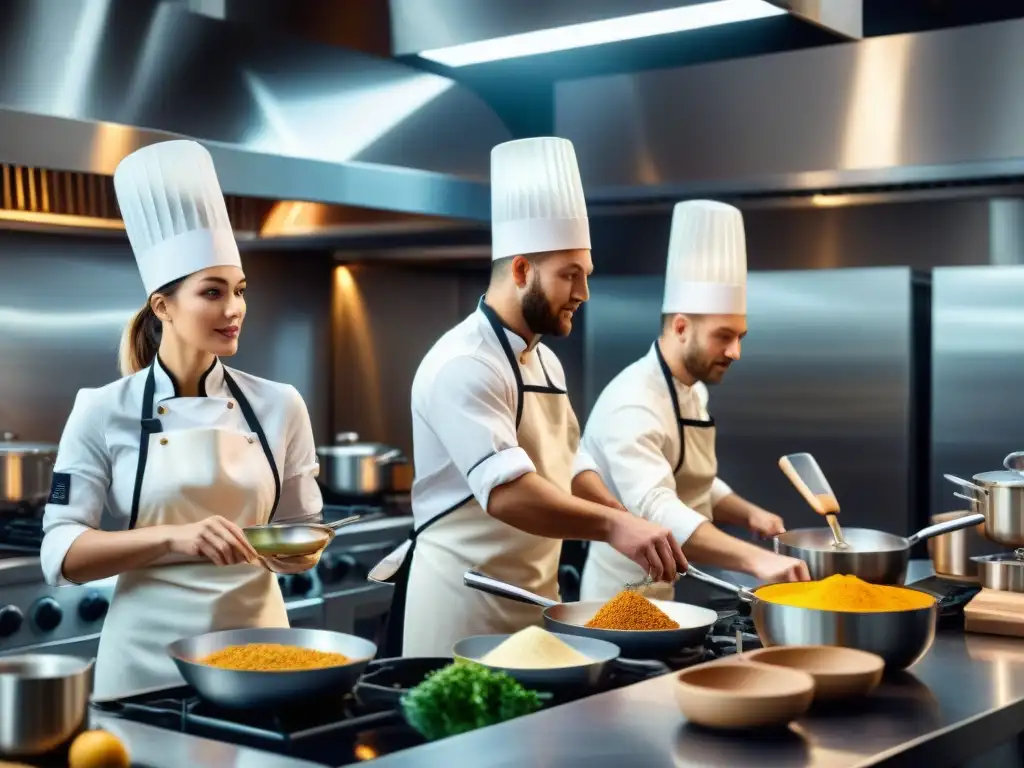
(438,609)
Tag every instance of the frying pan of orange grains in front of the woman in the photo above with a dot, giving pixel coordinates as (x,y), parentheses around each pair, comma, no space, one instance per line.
(243,690)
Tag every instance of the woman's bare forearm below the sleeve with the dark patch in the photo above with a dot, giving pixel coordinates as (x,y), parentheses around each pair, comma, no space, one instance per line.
(101,554)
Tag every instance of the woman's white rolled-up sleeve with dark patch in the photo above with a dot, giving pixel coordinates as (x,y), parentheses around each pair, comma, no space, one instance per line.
(81,482)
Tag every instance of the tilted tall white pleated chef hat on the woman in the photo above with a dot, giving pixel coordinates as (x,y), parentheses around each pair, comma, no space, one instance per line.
(175,212)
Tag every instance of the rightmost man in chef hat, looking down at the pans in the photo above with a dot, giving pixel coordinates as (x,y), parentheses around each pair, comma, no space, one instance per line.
(651,434)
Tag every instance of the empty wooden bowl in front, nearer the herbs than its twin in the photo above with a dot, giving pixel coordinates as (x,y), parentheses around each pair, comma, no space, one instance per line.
(743,695)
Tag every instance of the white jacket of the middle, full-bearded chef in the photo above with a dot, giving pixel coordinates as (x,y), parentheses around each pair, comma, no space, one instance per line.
(464,418)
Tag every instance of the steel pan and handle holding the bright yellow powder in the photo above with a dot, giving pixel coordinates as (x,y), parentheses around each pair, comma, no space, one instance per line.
(901,637)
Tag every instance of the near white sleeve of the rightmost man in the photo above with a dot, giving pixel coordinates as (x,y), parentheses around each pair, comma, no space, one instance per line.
(628,446)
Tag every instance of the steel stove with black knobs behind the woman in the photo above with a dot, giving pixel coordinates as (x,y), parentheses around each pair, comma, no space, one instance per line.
(336,595)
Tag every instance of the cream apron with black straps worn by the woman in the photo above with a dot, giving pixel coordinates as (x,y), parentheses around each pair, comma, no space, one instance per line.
(185,477)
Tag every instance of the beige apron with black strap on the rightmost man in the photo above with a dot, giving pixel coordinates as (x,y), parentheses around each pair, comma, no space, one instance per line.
(607,571)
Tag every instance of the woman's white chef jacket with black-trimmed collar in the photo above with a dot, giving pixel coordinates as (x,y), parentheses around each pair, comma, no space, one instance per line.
(99,452)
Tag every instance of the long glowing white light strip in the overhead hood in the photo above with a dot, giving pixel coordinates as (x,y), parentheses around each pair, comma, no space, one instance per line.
(606,31)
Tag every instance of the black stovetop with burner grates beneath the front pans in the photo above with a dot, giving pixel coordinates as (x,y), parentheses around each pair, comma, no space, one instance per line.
(345,731)
